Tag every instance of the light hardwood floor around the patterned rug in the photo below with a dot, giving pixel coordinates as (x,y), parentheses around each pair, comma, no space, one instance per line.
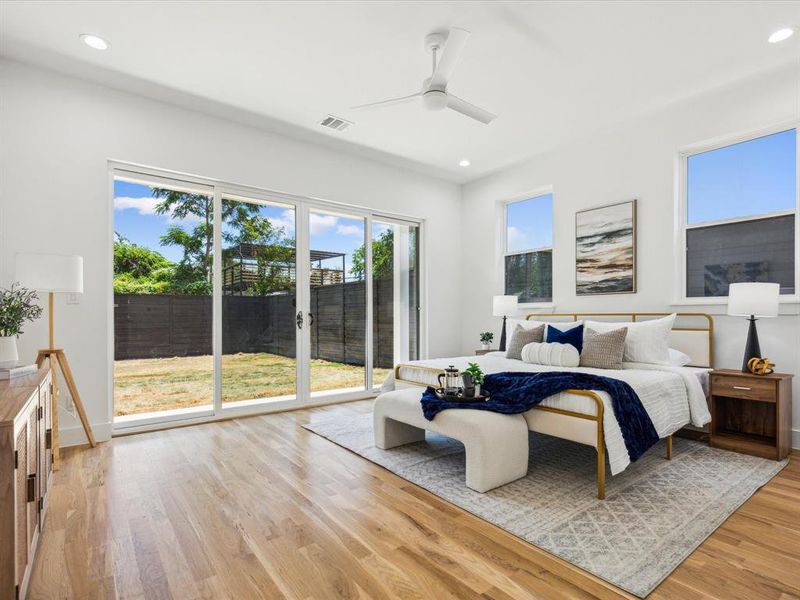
(261,508)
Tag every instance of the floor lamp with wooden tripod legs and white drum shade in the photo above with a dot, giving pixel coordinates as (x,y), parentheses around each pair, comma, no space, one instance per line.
(55,274)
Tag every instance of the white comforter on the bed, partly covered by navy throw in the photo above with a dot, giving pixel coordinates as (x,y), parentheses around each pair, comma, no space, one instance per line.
(672,396)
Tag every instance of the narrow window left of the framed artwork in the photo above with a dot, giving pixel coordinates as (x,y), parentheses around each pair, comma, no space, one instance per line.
(528,252)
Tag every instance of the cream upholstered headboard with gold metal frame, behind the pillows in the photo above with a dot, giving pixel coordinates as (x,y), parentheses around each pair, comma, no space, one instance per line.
(692,333)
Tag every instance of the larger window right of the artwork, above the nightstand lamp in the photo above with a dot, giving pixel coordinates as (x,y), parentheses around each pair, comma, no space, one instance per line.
(740,215)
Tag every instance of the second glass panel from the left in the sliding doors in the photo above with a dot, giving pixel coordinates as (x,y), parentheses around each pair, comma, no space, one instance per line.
(259,301)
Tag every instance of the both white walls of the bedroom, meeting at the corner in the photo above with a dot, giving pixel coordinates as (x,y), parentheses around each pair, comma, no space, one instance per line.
(57,132)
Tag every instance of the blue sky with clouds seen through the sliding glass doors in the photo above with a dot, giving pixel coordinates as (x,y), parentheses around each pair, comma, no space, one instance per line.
(135,219)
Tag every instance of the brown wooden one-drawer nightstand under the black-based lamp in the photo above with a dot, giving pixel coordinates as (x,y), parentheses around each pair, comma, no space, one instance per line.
(751,413)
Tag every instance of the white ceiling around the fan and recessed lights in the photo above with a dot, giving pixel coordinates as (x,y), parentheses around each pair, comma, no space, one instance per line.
(552,71)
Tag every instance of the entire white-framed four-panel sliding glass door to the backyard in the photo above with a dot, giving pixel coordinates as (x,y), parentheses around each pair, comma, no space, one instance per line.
(229,298)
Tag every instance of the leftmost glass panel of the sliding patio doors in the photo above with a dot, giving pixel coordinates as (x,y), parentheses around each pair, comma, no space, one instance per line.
(163,273)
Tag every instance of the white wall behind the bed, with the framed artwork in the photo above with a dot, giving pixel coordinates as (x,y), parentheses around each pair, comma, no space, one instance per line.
(635,161)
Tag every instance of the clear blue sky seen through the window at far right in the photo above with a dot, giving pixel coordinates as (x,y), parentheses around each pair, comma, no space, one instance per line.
(744,179)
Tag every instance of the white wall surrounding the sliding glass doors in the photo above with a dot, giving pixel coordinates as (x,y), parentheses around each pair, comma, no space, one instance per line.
(57,134)
